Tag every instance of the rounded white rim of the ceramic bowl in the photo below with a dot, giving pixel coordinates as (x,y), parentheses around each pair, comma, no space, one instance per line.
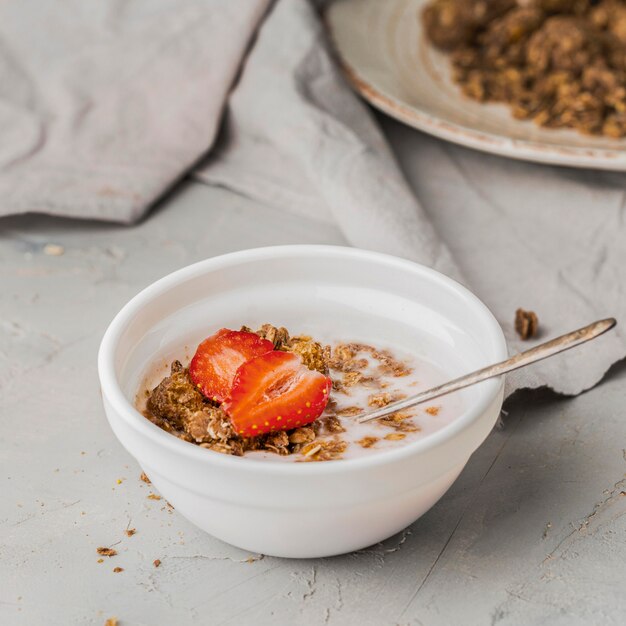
(114,396)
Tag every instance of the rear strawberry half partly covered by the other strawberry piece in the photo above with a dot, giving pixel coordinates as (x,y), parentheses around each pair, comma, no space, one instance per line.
(218,357)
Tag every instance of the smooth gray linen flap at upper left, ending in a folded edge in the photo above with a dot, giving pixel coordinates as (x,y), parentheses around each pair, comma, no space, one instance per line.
(104,105)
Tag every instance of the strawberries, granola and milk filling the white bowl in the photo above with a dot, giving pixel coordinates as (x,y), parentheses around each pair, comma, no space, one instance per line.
(267,394)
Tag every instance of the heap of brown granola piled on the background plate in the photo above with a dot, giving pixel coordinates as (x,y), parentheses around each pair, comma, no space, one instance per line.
(561,63)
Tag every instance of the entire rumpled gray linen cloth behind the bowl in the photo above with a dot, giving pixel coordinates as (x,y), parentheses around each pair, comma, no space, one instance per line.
(103,108)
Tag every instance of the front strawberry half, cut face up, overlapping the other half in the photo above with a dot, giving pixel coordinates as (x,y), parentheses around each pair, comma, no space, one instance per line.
(275,391)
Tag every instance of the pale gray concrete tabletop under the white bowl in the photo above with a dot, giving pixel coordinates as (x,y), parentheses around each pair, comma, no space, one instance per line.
(533,532)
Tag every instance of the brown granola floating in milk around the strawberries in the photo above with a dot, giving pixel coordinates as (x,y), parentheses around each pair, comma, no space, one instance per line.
(178,407)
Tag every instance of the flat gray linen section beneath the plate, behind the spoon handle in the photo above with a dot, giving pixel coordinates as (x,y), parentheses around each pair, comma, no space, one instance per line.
(545,238)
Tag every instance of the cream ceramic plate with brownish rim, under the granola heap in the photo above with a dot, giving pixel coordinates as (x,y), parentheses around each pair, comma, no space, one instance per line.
(389,62)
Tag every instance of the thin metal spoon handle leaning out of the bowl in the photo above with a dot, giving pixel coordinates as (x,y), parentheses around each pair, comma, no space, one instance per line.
(542,351)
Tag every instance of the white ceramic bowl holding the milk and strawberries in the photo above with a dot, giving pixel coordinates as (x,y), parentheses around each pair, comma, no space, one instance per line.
(303,509)
